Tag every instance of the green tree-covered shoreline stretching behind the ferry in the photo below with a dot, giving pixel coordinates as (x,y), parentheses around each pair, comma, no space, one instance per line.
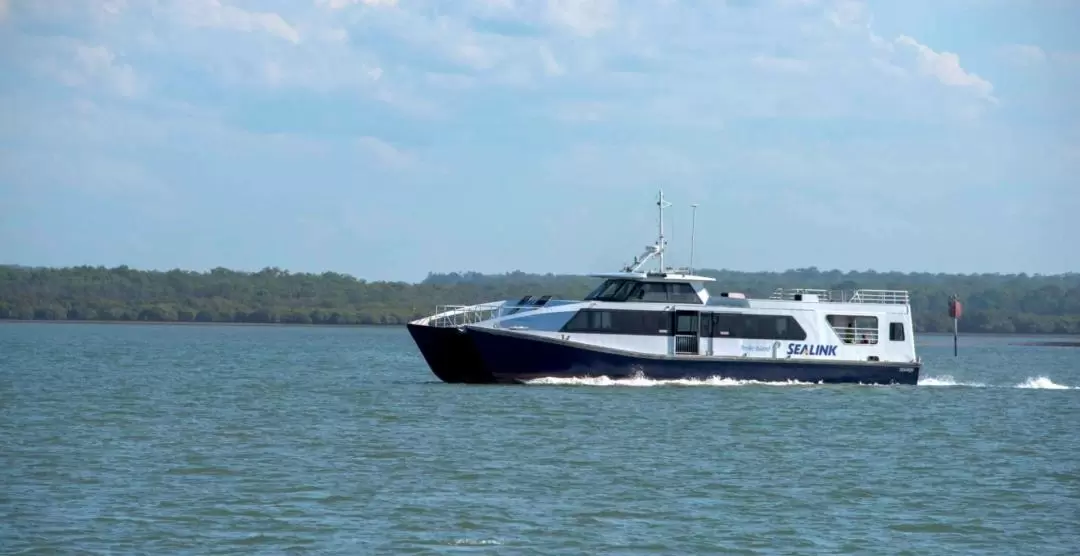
(993,303)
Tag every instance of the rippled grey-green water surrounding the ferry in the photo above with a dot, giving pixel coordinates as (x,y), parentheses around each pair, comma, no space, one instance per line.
(225,440)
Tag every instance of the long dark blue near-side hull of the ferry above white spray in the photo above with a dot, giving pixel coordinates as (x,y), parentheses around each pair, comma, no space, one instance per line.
(511,358)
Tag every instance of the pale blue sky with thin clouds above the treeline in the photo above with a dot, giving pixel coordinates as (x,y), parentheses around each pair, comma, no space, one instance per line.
(391,139)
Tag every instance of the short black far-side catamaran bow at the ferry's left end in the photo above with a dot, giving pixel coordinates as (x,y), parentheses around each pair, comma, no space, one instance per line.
(451,355)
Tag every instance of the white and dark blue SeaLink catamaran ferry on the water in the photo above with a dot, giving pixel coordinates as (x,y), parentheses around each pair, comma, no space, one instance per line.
(666,324)
